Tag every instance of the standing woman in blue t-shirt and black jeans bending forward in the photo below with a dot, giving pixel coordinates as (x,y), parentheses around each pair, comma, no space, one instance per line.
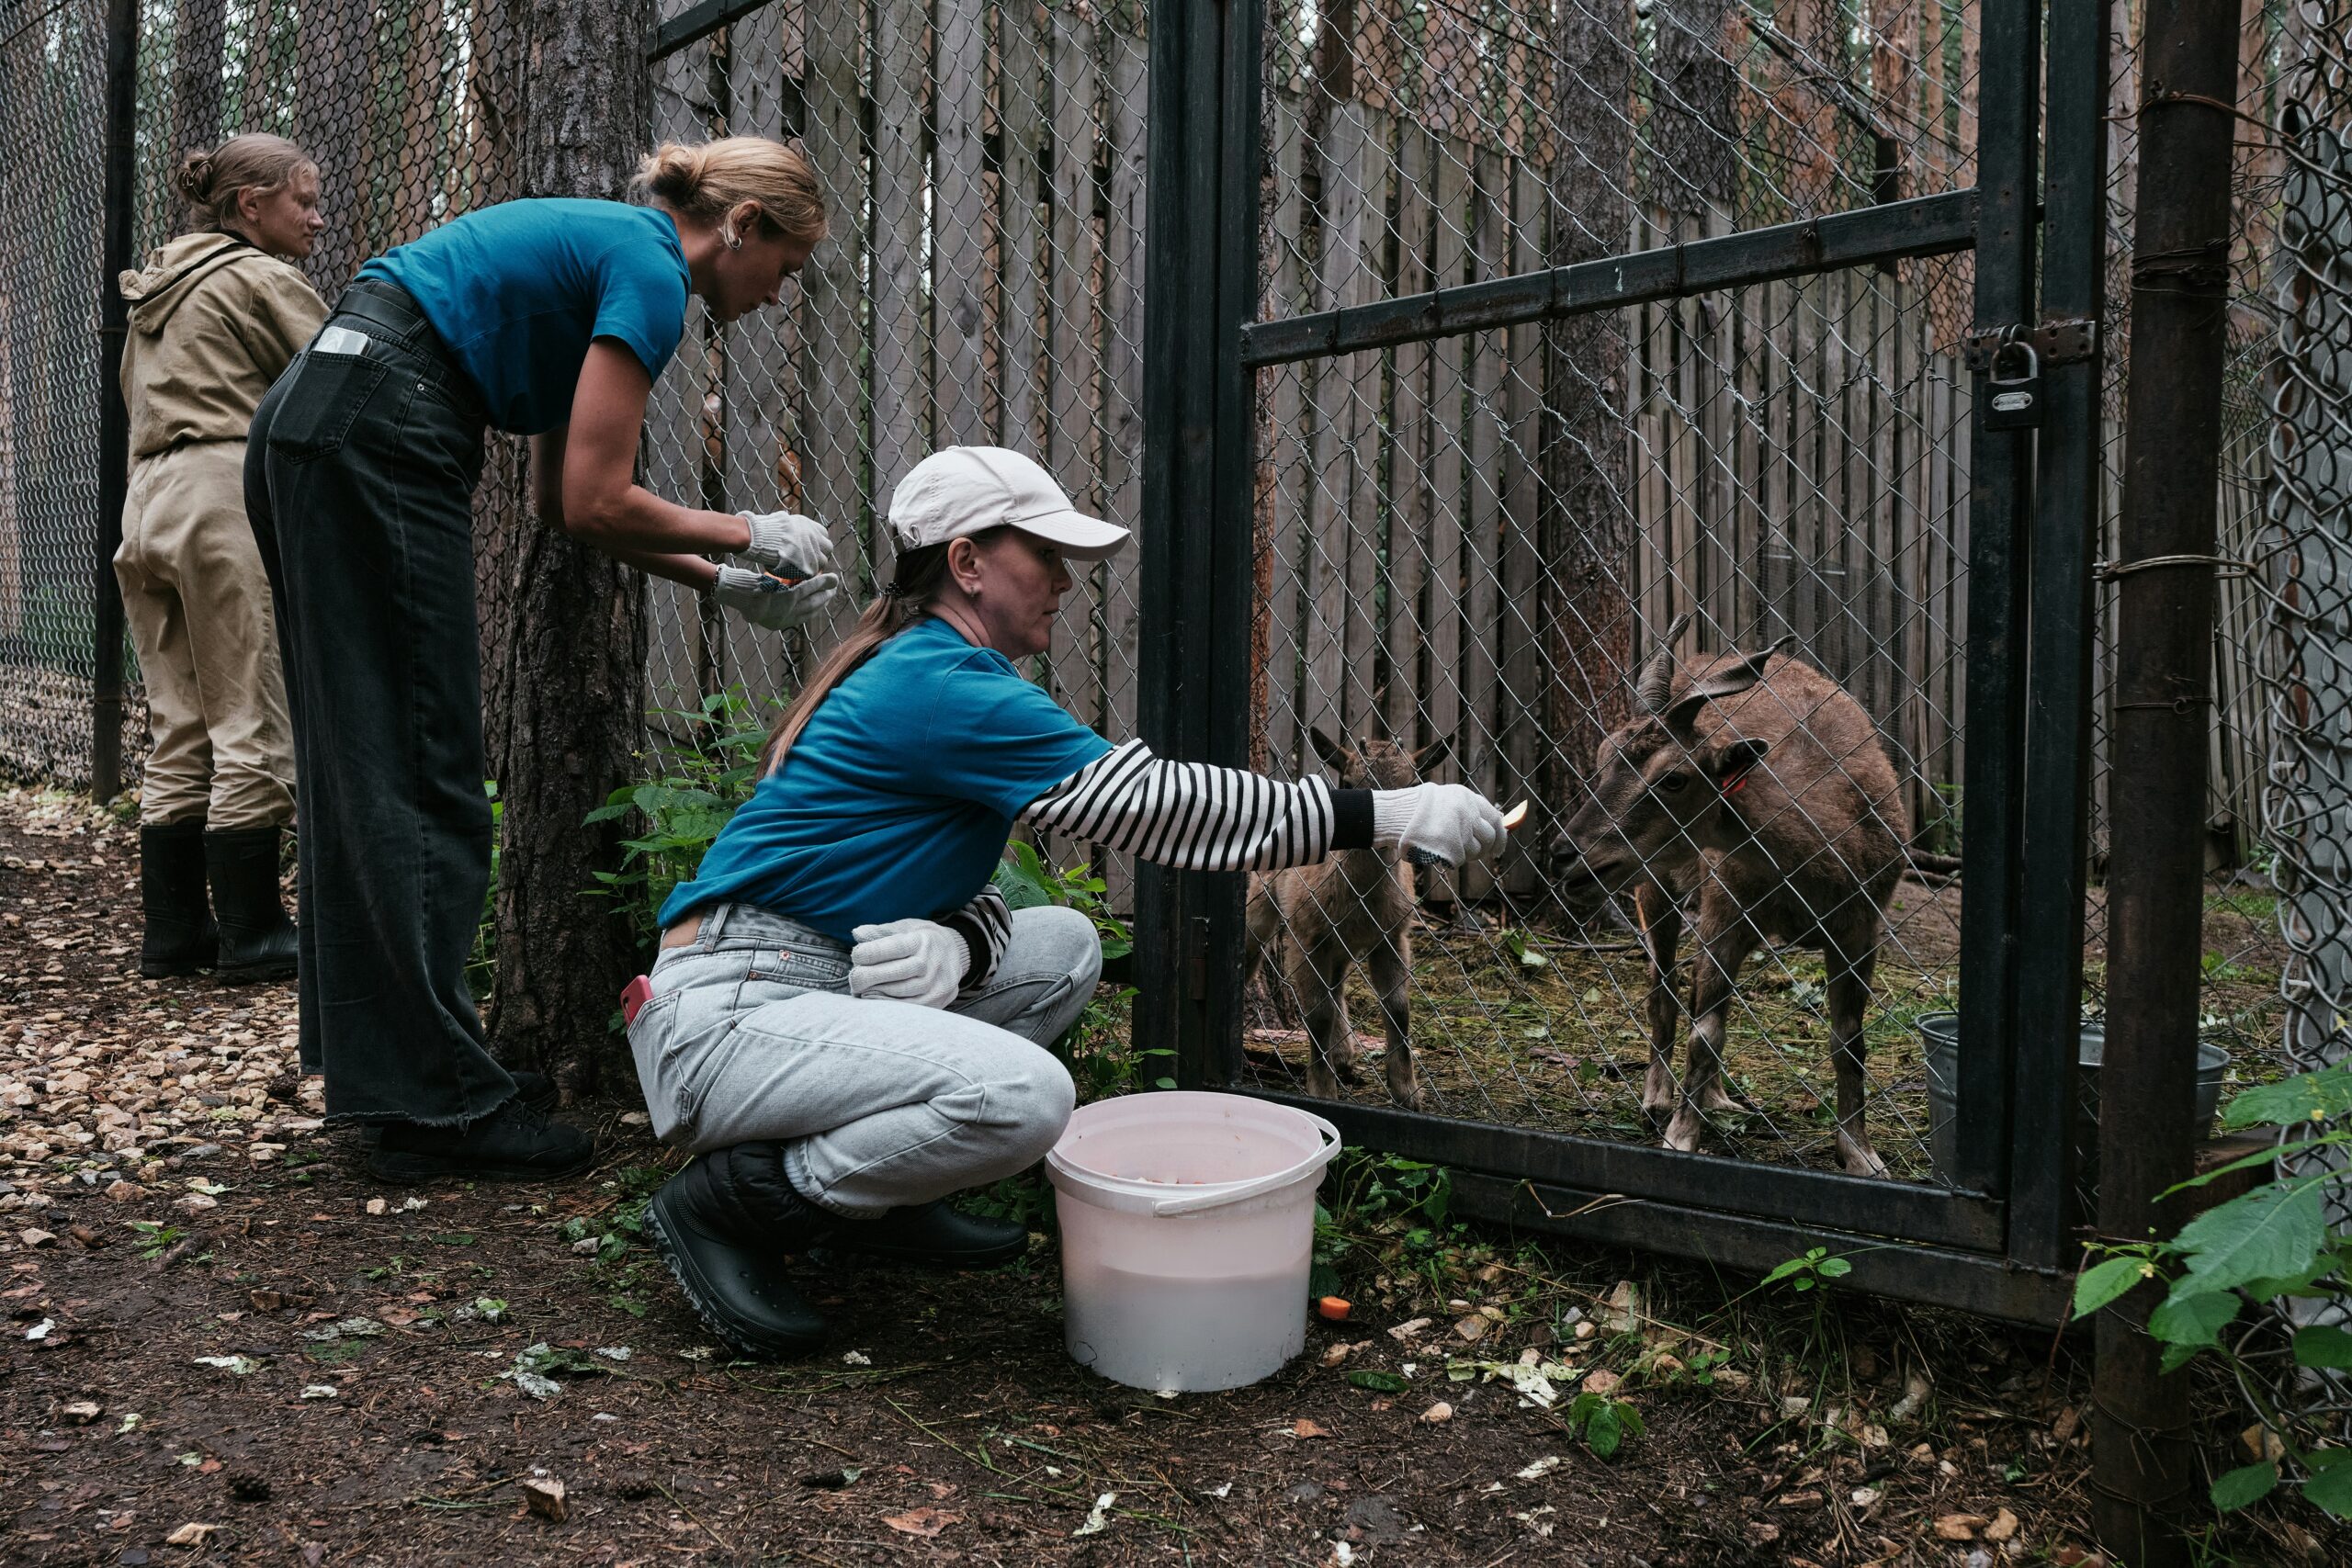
(544,319)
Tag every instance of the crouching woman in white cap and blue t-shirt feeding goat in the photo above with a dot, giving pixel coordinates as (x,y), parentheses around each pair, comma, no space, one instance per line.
(846,1021)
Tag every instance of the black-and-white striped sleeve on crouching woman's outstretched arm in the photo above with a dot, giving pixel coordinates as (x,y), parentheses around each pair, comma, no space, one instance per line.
(1198,817)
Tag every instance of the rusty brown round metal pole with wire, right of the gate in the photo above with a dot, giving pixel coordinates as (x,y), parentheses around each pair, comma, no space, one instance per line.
(2144,1473)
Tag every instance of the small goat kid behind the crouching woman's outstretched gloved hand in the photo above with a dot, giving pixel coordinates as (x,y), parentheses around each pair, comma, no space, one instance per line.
(1354,909)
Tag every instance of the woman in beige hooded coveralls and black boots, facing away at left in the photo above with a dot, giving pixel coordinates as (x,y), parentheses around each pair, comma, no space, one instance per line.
(215,319)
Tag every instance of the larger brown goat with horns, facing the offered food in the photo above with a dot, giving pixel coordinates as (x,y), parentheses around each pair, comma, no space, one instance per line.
(1760,784)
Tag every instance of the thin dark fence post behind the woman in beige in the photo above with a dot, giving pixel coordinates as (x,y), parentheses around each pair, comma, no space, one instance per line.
(114,420)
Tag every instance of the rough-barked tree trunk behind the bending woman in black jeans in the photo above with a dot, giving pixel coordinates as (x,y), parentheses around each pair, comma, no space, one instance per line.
(566,645)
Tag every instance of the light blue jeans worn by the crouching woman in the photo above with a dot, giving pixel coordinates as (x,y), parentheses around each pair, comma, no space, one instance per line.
(754,1036)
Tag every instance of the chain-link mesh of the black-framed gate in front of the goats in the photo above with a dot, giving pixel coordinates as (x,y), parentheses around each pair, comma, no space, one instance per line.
(1478,544)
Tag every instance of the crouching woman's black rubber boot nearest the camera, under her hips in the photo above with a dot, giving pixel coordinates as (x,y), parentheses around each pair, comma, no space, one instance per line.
(726,1226)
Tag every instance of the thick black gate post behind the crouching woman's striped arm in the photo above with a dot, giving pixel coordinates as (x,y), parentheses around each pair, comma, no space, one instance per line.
(1201,288)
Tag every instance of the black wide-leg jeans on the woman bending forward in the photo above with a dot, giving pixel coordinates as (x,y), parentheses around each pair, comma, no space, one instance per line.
(359,483)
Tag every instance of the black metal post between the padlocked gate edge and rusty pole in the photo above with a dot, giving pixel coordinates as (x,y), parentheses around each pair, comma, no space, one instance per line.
(2043,1205)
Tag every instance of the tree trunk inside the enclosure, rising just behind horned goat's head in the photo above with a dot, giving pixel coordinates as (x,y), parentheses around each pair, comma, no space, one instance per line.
(1586,511)
